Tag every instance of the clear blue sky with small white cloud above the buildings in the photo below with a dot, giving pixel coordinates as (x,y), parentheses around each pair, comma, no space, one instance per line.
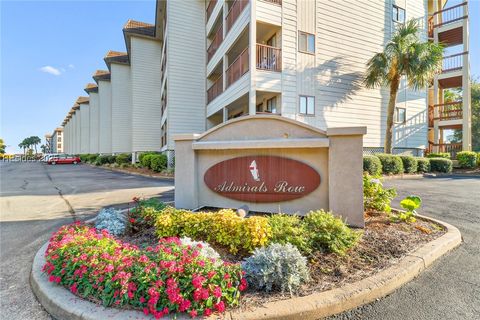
(50,50)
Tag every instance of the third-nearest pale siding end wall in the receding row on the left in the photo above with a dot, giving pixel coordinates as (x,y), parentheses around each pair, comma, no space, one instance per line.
(121,109)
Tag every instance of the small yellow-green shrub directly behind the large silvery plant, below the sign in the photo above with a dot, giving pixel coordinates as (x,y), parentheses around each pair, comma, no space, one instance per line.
(289,229)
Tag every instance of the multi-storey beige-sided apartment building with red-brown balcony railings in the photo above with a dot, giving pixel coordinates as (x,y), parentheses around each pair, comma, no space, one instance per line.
(205,62)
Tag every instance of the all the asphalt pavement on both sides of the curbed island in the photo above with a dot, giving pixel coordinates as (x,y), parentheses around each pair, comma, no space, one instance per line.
(36,199)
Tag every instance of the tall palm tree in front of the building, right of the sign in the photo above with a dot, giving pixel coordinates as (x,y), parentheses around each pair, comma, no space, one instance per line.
(404,55)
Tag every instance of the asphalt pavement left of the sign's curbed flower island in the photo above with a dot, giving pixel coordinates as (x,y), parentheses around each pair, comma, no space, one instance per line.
(35,200)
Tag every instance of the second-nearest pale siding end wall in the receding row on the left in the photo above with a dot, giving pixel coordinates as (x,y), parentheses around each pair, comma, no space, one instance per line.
(146,106)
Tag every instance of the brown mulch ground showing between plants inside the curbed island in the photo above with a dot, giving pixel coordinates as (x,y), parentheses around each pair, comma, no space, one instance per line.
(382,244)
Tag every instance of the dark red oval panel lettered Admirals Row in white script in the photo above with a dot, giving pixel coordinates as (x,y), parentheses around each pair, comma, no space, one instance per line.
(262,179)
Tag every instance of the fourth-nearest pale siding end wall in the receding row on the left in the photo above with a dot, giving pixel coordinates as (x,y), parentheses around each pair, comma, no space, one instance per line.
(105,116)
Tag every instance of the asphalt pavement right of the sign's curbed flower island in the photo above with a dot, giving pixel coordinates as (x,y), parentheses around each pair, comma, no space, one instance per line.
(450,288)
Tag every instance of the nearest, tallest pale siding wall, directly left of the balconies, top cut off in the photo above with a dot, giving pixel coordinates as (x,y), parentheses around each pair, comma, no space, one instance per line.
(186,56)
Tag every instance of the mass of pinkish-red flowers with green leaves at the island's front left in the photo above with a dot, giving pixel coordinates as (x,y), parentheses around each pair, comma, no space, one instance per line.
(166,278)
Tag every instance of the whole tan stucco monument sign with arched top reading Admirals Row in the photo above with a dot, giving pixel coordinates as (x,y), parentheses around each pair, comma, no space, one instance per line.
(272,164)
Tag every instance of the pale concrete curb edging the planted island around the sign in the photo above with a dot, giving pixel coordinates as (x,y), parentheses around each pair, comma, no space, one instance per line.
(62,304)
